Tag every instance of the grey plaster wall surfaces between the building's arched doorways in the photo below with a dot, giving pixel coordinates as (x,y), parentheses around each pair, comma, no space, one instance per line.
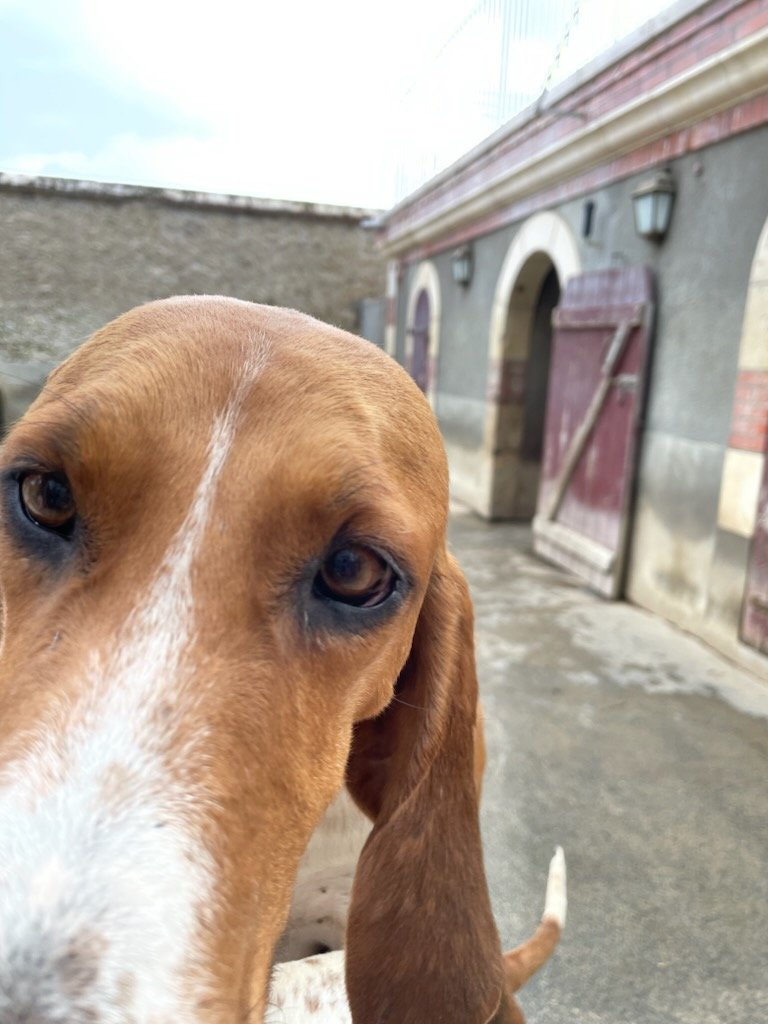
(680,565)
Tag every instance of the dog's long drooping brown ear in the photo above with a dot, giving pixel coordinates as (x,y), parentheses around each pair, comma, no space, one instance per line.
(422,947)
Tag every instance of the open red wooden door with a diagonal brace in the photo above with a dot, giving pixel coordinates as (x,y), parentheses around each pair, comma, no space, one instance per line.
(601,351)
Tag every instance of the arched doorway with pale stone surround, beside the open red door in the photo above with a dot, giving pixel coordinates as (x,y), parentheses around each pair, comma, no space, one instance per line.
(543,257)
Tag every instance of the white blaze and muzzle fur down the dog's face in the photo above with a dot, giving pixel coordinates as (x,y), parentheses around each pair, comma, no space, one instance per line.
(101,861)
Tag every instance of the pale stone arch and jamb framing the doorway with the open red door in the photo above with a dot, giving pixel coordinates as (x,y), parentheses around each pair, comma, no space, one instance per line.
(545,244)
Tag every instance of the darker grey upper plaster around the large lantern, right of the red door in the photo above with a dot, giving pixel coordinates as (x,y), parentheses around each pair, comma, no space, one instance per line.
(703,271)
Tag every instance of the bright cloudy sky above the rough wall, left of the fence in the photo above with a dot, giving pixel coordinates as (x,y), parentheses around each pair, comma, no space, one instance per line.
(288,99)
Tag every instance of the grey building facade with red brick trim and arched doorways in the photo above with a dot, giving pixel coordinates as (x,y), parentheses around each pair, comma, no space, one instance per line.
(540,219)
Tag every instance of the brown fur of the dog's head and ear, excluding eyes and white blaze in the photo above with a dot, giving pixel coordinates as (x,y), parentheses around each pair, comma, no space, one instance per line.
(332,434)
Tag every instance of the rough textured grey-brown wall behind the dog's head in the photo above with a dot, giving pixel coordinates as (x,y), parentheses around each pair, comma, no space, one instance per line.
(73,259)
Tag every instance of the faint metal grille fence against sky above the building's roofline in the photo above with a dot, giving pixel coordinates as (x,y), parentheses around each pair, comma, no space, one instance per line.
(499,59)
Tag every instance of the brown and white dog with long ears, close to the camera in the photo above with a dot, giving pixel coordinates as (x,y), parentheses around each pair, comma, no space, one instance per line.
(227,595)
